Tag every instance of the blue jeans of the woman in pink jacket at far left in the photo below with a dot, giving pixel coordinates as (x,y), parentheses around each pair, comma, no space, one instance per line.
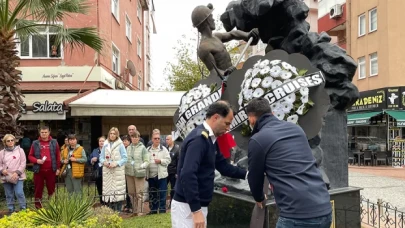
(17,189)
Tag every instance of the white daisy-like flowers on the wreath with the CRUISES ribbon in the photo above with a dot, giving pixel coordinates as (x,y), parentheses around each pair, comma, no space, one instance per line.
(267,75)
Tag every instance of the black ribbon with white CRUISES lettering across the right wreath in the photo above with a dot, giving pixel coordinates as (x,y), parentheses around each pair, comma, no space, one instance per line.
(277,94)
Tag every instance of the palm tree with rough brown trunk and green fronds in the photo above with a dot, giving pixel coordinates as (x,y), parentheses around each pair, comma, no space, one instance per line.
(20,19)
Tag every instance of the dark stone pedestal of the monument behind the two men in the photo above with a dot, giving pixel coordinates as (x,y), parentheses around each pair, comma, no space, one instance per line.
(234,210)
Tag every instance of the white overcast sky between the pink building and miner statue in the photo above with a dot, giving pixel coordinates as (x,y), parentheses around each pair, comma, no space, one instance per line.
(173,19)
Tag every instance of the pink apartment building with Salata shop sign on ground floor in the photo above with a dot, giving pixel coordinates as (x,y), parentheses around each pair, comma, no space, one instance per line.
(53,77)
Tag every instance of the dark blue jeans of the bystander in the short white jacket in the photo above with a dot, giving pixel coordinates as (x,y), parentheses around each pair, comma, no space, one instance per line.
(157,194)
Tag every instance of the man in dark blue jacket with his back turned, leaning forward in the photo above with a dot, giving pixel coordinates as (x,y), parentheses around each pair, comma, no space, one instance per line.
(280,150)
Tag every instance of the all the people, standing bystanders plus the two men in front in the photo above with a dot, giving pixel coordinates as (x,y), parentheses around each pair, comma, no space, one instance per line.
(277,150)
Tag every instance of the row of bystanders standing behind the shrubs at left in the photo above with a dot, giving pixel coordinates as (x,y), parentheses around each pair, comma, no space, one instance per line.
(121,167)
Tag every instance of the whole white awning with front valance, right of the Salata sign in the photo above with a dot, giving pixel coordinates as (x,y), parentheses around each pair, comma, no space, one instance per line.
(105,102)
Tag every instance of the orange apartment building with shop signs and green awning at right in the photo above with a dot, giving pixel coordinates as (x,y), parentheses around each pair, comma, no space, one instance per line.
(372,35)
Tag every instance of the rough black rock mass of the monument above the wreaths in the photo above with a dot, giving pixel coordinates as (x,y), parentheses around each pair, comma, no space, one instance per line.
(282,25)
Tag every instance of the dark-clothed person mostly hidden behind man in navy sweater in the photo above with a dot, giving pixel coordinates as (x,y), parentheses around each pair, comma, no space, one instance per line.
(174,151)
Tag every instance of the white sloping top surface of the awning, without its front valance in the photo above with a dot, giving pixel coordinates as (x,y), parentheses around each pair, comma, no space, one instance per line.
(116,98)
